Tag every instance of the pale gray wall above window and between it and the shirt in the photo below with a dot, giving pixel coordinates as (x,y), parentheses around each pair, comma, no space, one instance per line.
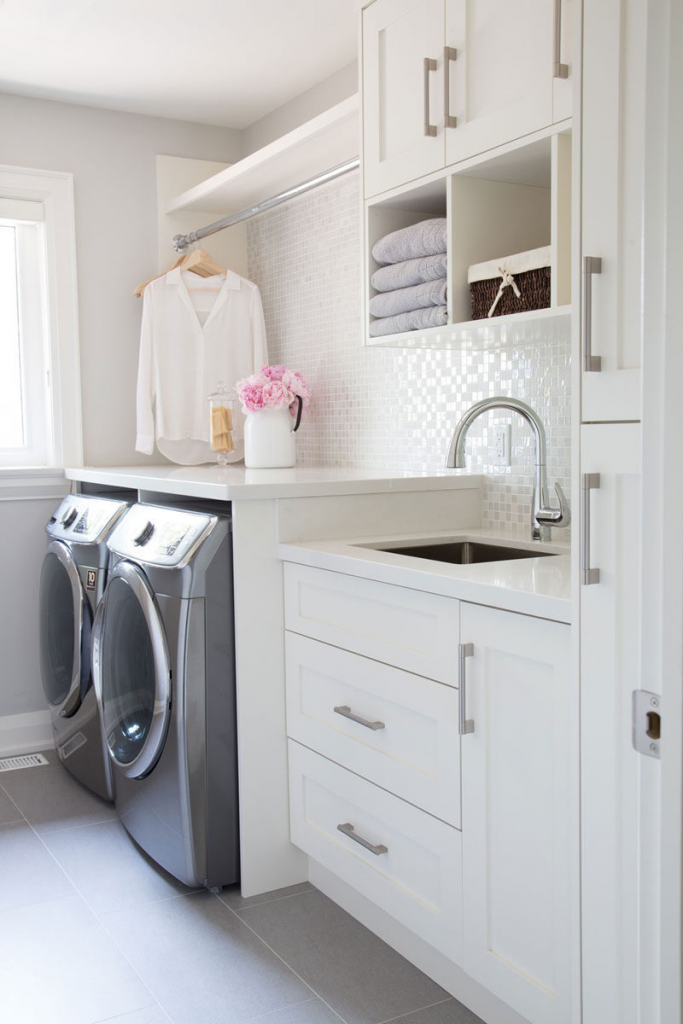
(113,159)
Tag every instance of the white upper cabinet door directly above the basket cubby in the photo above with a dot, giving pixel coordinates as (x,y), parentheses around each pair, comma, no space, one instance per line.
(501,73)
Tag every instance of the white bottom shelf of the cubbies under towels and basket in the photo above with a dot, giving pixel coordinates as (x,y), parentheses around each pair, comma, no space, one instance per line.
(469,336)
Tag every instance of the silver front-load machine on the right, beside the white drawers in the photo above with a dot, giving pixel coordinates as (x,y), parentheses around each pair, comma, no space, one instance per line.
(164,671)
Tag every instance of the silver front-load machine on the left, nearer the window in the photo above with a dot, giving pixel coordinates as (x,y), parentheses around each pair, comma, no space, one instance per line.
(72,584)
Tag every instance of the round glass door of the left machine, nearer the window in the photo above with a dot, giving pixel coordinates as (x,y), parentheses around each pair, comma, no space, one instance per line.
(65,631)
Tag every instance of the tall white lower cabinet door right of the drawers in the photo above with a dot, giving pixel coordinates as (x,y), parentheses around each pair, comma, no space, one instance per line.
(519,802)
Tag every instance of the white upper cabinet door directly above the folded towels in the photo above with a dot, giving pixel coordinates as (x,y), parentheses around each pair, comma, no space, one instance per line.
(403,97)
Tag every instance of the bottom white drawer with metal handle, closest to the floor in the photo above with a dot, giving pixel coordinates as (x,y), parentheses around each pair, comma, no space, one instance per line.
(415,874)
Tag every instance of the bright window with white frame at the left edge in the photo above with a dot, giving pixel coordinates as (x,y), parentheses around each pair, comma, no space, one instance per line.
(40,407)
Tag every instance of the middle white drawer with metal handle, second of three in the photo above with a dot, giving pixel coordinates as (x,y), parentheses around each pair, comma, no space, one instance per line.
(409,743)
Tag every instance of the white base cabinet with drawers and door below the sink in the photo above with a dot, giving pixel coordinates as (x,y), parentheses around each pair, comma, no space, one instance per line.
(382,782)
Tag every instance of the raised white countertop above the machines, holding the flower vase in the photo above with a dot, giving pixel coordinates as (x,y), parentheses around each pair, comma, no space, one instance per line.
(238,484)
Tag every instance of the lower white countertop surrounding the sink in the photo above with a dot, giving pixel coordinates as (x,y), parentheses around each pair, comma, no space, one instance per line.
(538,587)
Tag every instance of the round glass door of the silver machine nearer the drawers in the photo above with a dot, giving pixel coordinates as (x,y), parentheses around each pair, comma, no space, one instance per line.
(132,671)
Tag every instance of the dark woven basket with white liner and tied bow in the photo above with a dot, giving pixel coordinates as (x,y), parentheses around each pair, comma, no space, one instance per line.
(531,272)
